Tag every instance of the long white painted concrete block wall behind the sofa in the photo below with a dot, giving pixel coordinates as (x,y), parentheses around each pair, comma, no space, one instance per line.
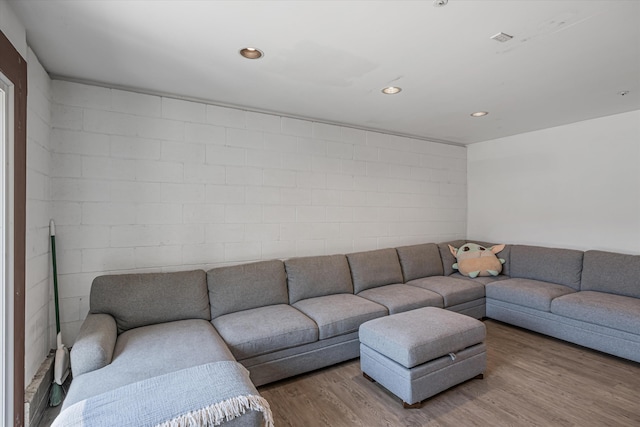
(148,183)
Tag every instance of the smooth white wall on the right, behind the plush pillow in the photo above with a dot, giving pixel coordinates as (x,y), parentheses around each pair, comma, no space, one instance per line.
(573,186)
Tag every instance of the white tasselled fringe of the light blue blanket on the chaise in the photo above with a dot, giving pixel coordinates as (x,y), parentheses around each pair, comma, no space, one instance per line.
(227,410)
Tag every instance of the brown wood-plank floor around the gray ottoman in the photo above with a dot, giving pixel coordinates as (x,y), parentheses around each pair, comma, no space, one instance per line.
(531,380)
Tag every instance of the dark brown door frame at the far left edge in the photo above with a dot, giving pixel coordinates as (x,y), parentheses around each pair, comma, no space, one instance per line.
(14,67)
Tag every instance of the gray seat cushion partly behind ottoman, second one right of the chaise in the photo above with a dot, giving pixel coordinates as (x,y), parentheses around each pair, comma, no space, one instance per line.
(340,314)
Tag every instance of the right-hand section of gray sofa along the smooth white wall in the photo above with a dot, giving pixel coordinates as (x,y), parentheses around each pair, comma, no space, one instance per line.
(588,298)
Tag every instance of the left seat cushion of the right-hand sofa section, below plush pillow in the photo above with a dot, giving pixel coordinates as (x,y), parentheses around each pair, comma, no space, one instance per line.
(527,292)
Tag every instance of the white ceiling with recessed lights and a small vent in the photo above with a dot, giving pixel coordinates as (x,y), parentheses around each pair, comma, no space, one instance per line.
(328,60)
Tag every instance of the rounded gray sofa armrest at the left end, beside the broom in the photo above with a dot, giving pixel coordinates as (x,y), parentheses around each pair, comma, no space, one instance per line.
(94,345)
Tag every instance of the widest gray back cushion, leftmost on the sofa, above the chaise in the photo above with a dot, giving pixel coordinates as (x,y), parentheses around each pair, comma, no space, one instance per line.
(143,299)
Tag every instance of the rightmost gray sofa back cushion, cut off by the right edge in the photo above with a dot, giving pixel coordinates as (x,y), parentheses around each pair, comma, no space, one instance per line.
(611,272)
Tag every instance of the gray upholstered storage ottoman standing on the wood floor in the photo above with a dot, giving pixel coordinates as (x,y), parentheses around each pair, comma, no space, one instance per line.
(419,353)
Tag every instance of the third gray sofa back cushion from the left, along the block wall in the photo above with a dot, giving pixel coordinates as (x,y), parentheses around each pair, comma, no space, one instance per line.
(317,276)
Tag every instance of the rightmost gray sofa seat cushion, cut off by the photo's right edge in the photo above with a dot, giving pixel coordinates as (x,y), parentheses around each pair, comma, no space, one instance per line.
(614,311)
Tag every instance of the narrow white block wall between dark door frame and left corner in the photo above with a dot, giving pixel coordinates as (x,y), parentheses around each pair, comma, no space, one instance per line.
(39,318)
